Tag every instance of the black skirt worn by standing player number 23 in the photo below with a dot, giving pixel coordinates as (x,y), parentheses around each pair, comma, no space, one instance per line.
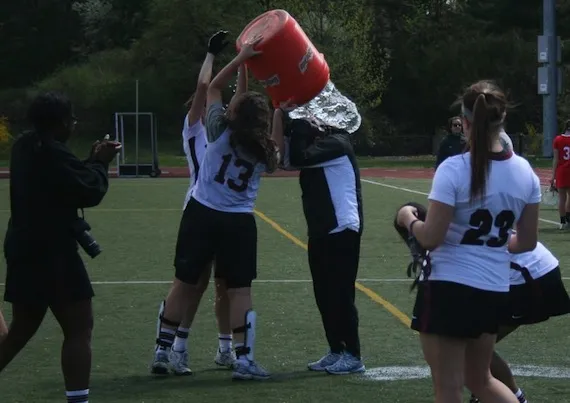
(450,309)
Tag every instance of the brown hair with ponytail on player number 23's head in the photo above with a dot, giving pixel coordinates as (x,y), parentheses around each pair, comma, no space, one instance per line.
(484,106)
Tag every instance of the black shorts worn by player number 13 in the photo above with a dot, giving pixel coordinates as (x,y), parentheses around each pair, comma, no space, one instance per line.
(228,238)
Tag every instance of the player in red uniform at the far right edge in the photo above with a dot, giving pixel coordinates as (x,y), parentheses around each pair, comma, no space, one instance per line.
(561,174)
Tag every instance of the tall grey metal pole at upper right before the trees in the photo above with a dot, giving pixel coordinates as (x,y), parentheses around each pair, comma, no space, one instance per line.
(549,108)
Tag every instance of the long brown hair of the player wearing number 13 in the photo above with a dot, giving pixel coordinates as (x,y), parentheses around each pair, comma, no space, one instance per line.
(250,128)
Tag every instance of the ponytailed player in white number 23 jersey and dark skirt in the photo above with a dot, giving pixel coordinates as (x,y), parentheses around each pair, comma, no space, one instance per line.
(475,200)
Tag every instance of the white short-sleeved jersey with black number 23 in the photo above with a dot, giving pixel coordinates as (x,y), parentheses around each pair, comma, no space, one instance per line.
(474,252)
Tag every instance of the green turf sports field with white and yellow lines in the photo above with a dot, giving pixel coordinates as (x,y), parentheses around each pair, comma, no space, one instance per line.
(137,224)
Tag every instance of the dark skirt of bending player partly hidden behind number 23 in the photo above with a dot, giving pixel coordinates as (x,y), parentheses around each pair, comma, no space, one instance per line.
(538,300)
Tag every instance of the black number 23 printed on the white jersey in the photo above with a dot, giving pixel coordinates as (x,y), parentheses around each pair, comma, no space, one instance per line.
(483,221)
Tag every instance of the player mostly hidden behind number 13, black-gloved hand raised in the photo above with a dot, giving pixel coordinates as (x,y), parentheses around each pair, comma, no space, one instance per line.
(195,143)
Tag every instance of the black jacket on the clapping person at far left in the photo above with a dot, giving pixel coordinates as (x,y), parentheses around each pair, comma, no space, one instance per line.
(48,184)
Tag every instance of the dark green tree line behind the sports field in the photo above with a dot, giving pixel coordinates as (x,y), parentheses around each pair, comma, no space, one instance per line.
(402,61)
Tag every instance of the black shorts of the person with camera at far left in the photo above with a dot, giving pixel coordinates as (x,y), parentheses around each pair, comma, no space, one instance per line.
(47,279)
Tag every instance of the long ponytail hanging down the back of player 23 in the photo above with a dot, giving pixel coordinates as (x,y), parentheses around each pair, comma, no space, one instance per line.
(480,144)
